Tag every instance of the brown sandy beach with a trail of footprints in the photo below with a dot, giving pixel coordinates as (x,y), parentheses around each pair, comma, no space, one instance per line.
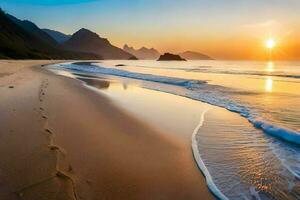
(59,140)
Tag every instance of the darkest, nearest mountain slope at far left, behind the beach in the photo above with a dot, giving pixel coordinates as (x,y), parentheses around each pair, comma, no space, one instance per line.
(20,40)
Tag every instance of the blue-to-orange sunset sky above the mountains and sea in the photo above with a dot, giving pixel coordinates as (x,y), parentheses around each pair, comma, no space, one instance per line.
(223,29)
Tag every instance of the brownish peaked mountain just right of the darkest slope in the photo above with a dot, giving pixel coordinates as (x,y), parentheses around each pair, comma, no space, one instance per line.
(85,40)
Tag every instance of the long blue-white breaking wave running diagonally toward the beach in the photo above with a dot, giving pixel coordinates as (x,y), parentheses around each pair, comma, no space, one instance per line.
(198,90)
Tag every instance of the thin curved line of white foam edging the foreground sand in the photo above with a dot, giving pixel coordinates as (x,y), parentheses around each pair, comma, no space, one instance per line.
(200,163)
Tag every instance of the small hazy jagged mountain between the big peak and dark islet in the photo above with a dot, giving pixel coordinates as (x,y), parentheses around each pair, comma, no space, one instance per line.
(142,53)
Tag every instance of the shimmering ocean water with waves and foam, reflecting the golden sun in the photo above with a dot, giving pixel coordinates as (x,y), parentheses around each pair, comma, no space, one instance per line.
(254,158)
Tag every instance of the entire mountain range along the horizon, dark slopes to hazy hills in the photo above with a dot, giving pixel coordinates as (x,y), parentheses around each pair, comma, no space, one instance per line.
(23,39)
